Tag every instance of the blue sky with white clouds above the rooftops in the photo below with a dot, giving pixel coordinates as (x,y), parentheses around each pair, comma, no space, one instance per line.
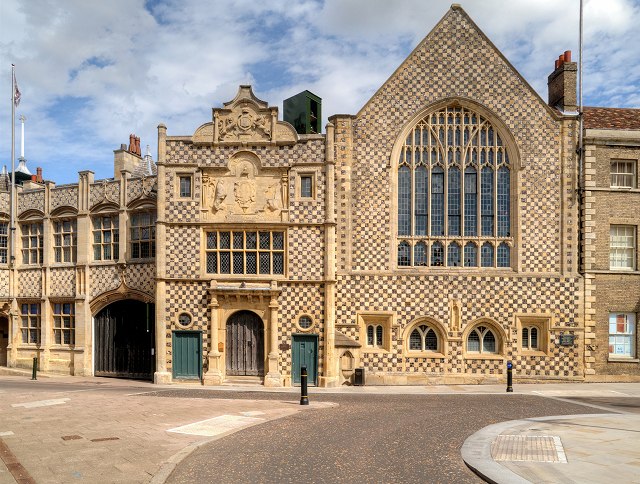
(92,72)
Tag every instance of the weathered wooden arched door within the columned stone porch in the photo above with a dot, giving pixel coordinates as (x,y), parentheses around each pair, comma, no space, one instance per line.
(245,345)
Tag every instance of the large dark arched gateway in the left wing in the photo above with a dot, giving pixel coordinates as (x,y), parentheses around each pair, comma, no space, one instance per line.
(124,340)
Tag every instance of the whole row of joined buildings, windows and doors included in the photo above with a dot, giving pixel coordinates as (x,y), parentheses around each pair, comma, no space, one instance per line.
(443,230)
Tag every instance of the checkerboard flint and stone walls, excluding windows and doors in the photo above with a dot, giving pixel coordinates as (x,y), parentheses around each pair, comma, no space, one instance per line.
(341,272)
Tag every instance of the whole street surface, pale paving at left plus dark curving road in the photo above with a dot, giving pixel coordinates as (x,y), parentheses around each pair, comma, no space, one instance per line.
(101,430)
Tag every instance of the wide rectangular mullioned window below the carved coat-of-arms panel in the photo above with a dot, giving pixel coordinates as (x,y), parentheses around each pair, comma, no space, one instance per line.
(245,252)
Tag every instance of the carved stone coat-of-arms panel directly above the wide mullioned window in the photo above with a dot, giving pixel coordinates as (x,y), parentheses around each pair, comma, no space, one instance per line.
(244,192)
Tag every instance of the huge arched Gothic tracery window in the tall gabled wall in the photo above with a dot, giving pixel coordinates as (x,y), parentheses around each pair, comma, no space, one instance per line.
(454,193)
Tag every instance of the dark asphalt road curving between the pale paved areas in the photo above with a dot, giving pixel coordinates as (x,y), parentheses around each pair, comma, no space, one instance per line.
(386,438)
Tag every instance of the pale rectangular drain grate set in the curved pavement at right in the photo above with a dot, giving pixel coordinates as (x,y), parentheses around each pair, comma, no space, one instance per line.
(528,448)
